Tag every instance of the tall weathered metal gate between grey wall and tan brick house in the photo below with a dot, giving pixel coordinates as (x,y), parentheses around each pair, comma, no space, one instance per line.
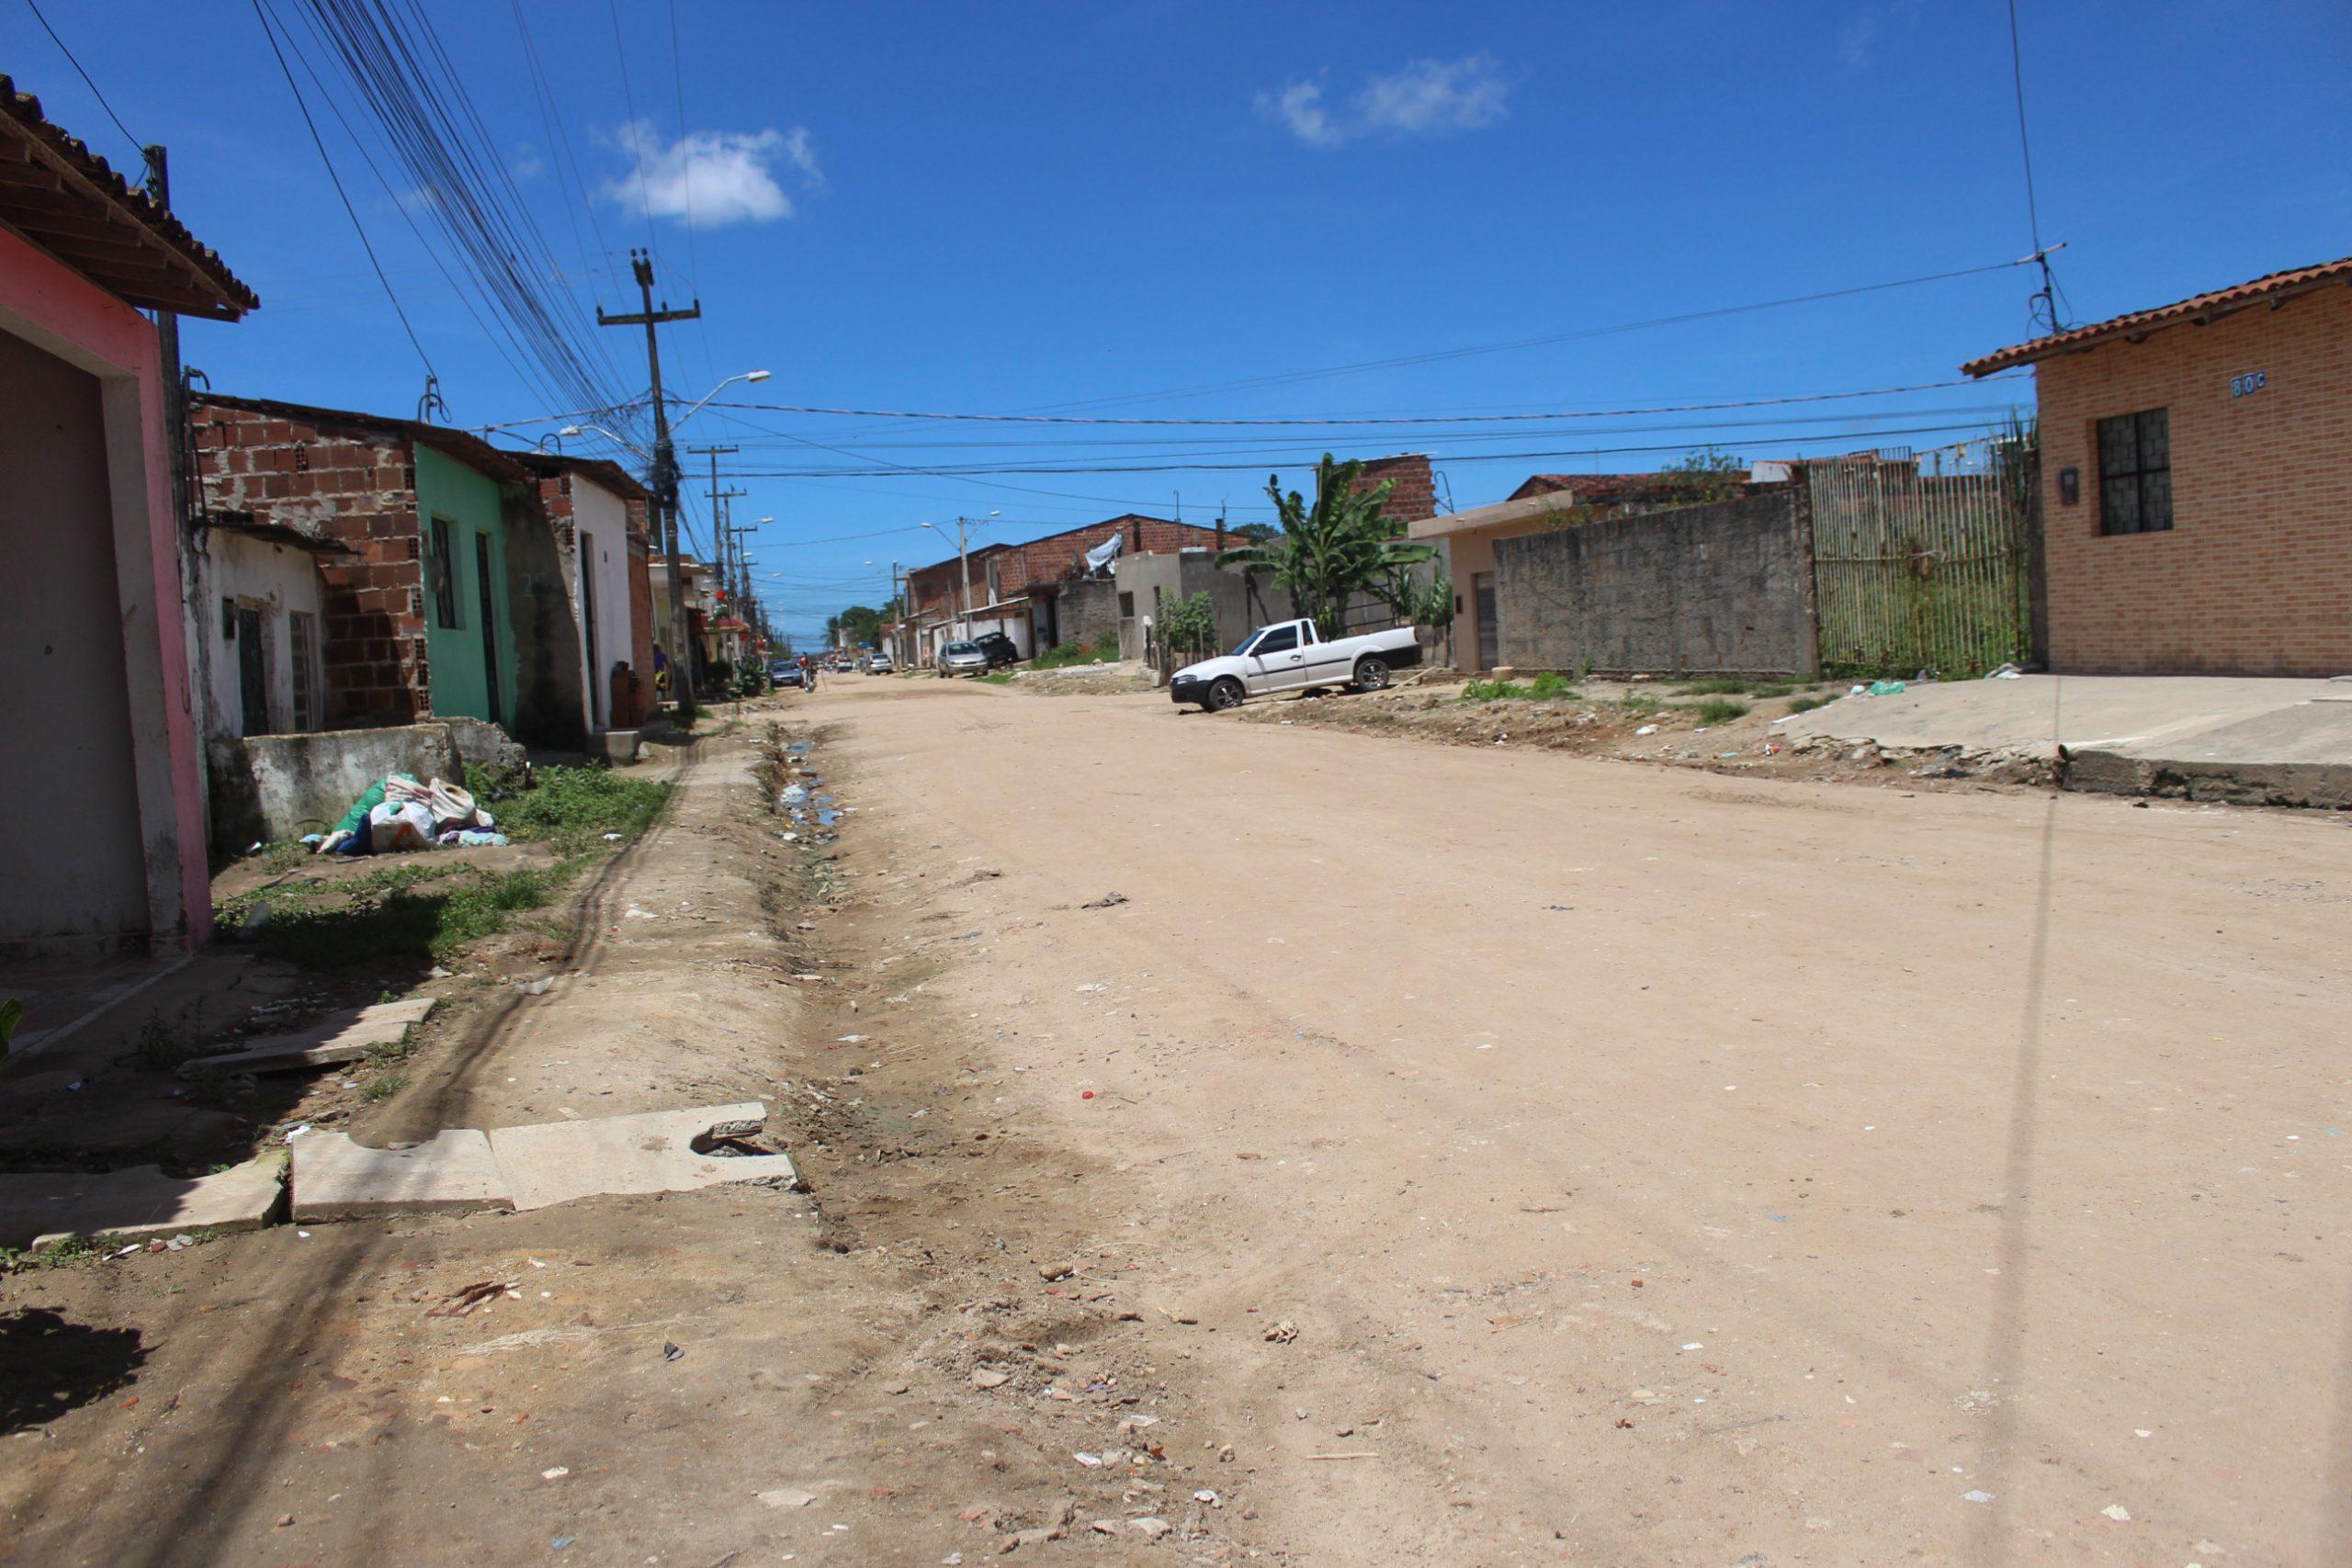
(1920,563)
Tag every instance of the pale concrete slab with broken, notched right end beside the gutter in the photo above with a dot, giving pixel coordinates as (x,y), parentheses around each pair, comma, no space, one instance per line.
(667,1151)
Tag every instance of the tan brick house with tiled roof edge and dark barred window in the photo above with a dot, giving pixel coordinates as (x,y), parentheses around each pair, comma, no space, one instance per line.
(2196,488)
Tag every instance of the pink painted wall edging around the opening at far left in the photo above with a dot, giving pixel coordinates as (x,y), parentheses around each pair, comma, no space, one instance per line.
(72,319)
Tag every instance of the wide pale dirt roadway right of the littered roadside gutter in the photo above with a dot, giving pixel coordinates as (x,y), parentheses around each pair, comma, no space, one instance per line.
(1664,1167)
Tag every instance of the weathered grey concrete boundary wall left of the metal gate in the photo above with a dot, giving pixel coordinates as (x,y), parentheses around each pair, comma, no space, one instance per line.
(1723,589)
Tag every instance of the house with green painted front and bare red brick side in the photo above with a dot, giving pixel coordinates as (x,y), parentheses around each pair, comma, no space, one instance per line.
(453,601)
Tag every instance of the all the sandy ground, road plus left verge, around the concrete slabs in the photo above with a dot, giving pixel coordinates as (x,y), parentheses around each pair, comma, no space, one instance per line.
(1457,1155)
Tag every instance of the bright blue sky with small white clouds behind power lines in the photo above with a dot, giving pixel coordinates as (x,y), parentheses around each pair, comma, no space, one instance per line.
(1175,210)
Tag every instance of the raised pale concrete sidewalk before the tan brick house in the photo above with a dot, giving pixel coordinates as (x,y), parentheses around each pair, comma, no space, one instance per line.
(2247,742)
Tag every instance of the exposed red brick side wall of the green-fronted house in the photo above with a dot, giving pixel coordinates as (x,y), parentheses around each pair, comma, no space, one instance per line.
(354,485)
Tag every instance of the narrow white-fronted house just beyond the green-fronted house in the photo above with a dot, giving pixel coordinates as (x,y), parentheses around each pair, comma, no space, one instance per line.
(599,516)
